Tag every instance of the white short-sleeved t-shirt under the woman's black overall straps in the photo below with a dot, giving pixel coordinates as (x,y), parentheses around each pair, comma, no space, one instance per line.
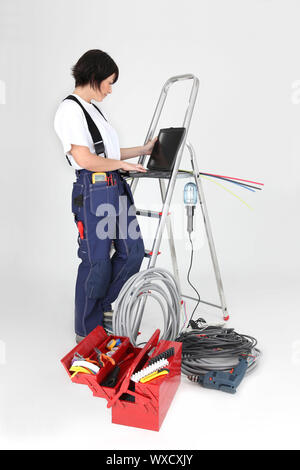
(71,127)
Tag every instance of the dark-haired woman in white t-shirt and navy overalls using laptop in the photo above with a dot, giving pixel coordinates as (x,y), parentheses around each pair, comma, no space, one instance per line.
(102,203)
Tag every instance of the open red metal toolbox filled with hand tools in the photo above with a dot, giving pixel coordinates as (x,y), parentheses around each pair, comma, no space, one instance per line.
(143,405)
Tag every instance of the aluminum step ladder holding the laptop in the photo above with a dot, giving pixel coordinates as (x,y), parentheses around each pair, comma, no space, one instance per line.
(166,197)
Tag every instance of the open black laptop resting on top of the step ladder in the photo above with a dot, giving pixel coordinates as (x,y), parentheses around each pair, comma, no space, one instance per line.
(163,155)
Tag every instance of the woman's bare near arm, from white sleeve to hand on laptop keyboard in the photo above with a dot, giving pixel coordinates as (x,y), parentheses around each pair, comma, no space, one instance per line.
(92,162)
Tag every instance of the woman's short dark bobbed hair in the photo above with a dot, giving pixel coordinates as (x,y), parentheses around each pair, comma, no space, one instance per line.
(93,67)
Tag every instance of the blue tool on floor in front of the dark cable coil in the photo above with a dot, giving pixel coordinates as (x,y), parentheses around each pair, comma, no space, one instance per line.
(225,381)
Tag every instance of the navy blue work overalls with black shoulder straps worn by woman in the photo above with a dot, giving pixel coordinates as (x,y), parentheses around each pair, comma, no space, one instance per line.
(107,217)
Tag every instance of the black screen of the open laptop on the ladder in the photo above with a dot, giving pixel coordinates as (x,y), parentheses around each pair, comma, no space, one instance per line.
(165,149)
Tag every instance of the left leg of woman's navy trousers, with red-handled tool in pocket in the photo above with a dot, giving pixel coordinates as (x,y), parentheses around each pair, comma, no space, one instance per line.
(95,269)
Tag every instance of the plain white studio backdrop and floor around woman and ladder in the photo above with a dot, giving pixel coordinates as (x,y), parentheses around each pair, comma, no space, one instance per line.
(245,124)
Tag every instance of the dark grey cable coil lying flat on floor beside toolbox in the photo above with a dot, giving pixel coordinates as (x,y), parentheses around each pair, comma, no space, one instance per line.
(214,348)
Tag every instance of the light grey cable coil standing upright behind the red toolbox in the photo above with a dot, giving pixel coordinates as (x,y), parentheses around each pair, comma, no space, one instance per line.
(157,283)
